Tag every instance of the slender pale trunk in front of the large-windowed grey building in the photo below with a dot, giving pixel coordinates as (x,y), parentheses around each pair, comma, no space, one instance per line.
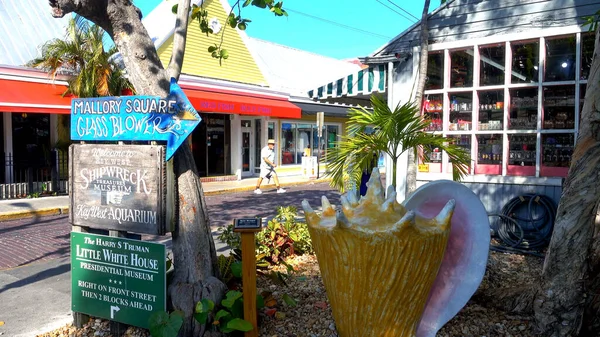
(411,171)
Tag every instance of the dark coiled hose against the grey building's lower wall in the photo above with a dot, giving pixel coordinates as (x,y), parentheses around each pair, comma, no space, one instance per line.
(525,223)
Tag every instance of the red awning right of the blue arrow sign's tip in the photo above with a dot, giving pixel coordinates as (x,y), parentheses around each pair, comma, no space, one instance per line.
(214,100)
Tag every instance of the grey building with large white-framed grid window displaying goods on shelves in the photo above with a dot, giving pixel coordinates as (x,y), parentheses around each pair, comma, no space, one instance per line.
(506,80)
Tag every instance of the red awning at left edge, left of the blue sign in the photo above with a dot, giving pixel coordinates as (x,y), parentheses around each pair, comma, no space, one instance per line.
(33,97)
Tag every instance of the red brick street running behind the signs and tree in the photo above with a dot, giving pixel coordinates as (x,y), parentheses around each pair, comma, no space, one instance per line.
(27,241)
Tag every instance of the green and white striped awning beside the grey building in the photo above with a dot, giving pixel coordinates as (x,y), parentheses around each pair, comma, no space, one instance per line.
(363,82)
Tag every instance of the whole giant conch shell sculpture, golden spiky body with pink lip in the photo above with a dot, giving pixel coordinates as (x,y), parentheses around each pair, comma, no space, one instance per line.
(379,261)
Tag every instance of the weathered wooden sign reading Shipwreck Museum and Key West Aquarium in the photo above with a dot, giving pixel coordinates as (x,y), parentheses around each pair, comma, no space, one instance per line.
(119,187)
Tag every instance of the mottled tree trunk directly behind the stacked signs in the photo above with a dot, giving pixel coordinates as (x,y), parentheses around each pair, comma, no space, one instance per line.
(193,247)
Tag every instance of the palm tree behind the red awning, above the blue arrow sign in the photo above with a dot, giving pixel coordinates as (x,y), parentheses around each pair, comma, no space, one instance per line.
(82,54)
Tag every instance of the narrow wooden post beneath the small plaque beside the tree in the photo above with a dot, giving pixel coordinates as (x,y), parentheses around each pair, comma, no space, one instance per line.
(249,281)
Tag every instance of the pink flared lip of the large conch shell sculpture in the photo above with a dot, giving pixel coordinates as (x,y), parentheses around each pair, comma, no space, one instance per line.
(466,254)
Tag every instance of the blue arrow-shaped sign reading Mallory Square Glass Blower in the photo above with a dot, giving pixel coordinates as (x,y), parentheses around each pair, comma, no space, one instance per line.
(139,118)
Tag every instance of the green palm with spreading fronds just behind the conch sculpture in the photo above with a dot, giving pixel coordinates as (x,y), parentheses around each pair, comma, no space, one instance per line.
(393,132)
